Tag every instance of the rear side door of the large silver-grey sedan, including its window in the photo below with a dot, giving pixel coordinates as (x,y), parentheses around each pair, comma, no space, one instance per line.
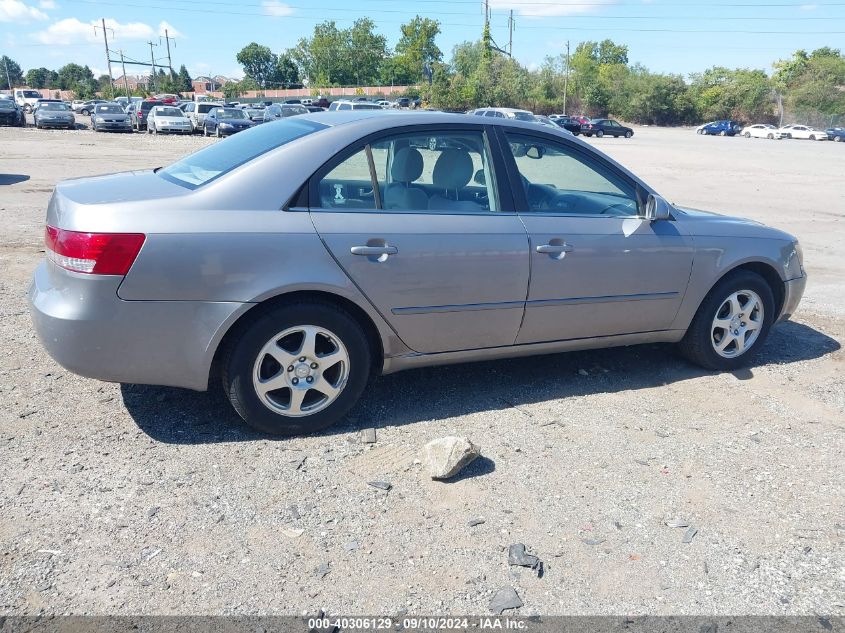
(418,222)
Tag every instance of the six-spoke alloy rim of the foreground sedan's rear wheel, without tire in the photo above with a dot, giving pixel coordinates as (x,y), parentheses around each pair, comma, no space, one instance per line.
(301,370)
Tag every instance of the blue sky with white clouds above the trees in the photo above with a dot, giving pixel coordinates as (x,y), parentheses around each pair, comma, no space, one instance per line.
(677,36)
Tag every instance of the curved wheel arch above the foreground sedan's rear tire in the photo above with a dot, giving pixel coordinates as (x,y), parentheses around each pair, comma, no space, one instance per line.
(374,337)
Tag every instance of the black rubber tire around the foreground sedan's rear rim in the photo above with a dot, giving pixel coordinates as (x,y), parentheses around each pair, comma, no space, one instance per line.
(239,360)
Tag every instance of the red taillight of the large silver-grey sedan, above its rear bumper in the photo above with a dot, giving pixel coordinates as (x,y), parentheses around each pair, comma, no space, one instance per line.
(95,253)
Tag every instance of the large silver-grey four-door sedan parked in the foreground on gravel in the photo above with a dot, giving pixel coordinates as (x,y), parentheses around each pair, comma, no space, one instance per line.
(294,260)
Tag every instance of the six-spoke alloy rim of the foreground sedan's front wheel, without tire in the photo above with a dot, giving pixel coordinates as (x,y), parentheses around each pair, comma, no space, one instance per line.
(737,324)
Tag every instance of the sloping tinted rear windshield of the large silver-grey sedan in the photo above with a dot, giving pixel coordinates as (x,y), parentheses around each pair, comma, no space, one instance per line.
(215,160)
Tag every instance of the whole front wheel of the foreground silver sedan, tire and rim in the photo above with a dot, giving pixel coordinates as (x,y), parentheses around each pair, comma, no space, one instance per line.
(732,322)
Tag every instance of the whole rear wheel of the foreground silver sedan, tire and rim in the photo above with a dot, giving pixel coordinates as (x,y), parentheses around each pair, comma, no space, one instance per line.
(297,369)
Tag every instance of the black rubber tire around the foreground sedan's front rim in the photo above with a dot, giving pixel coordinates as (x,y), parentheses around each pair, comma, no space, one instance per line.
(696,345)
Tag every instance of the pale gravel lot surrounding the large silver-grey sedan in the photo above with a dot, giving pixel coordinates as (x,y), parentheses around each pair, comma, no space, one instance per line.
(144,500)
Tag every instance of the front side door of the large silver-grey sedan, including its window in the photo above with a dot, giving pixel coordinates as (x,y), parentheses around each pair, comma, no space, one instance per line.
(597,268)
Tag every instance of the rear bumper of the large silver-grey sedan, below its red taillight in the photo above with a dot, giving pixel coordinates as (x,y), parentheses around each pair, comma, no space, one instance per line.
(90,331)
